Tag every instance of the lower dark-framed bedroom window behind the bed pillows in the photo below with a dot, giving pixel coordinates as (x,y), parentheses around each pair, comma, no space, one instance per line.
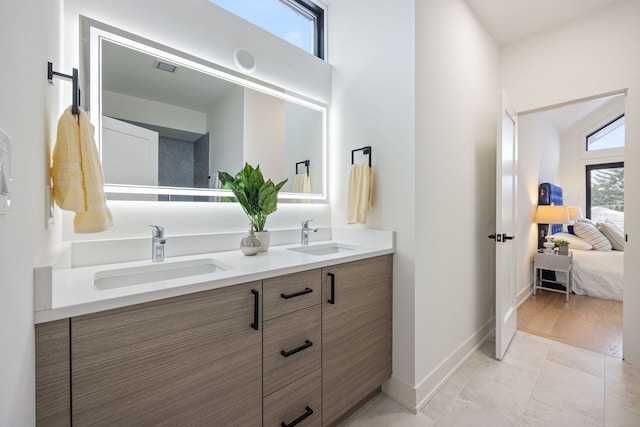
(605,192)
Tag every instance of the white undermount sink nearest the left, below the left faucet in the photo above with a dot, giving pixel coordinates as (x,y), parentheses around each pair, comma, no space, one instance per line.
(131,276)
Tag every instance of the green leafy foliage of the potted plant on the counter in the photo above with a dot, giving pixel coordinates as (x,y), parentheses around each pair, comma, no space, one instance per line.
(258,198)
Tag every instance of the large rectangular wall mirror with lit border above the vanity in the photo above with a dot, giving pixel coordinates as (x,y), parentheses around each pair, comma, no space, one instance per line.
(167,122)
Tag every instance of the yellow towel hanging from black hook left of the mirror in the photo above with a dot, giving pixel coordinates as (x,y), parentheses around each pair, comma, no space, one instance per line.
(78,180)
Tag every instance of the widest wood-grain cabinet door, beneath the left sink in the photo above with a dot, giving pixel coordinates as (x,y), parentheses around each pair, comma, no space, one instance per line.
(189,360)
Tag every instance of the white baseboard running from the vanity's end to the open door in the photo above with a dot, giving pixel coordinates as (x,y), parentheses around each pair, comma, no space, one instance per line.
(415,398)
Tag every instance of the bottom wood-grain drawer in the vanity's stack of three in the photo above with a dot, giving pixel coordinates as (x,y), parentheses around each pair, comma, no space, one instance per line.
(294,401)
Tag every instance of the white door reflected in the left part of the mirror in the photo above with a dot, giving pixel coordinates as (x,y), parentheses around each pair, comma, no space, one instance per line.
(129,153)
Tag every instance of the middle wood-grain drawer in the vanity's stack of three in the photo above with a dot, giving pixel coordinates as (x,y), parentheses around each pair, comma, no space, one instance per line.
(291,347)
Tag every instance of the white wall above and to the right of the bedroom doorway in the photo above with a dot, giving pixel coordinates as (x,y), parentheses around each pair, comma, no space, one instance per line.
(561,65)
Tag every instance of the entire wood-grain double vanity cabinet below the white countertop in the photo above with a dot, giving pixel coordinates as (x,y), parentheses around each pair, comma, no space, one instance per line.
(301,349)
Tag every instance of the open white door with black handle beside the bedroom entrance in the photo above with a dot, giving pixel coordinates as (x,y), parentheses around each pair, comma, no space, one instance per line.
(506,162)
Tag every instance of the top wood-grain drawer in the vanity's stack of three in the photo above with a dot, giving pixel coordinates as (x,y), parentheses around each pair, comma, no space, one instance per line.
(286,294)
